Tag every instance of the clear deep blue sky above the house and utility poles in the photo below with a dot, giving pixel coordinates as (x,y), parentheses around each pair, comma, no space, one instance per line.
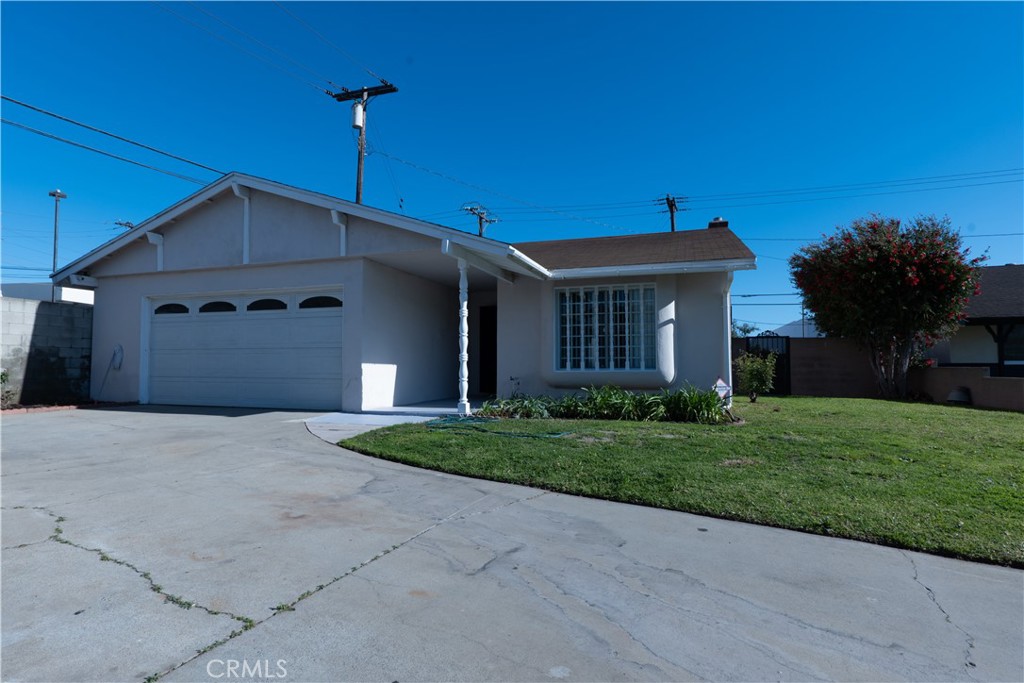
(566,120)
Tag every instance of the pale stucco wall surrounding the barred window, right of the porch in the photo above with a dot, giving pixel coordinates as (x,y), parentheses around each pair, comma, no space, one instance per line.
(692,335)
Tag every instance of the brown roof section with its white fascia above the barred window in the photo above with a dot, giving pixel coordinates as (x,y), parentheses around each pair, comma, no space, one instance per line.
(713,249)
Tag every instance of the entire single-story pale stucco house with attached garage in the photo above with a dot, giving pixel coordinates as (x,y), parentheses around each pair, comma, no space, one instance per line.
(252,293)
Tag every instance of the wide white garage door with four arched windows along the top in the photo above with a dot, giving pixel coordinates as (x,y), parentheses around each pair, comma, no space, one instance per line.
(259,351)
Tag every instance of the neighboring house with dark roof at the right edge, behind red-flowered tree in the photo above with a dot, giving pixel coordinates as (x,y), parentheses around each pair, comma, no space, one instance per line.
(993,335)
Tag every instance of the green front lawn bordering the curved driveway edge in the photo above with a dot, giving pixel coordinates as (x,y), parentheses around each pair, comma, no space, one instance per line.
(935,479)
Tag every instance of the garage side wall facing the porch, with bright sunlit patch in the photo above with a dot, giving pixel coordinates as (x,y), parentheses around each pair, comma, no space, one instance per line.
(410,338)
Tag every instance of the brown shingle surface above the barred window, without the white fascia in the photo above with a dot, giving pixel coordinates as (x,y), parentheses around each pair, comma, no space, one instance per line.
(714,244)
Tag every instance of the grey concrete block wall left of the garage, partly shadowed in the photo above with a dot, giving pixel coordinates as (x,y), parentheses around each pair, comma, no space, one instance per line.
(47,350)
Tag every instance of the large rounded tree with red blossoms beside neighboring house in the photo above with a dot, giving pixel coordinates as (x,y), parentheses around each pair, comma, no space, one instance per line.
(894,289)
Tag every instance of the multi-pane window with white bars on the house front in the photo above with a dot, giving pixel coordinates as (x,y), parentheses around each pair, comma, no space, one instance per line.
(613,328)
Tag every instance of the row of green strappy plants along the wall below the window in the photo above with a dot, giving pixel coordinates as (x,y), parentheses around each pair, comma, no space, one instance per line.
(612,403)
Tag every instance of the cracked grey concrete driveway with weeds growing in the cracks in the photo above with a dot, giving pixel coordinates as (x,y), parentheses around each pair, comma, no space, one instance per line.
(226,546)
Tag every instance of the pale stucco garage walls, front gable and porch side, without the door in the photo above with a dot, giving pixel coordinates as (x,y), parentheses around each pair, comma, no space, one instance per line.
(400,335)
